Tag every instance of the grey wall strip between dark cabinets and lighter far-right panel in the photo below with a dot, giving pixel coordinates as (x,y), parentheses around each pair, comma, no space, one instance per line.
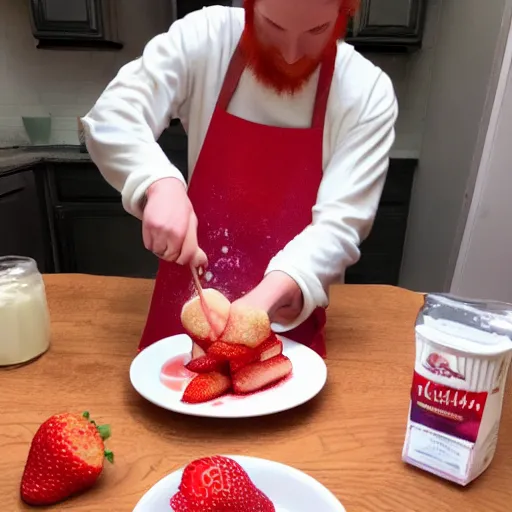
(471,41)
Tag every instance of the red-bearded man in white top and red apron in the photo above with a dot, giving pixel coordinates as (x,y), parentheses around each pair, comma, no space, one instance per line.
(289,132)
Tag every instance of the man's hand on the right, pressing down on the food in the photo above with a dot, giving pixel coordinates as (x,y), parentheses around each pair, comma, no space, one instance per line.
(279,295)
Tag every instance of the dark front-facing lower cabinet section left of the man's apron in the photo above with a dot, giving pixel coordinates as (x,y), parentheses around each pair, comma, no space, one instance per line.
(92,233)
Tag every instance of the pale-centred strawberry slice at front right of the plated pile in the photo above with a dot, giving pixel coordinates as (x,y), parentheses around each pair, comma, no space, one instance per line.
(260,374)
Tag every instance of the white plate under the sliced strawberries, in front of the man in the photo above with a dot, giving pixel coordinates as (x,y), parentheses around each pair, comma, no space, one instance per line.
(307,379)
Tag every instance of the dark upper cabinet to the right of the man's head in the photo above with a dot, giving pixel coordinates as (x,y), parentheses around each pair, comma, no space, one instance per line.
(388,25)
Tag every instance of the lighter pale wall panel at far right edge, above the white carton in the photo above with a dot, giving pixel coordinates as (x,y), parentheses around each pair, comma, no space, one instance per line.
(484,265)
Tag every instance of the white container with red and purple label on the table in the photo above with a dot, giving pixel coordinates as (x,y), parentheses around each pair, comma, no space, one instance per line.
(463,354)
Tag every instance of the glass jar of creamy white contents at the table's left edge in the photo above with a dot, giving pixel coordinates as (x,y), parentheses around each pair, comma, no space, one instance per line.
(24,315)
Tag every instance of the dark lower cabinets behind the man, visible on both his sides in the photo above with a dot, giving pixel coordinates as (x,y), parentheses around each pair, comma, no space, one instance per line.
(69,219)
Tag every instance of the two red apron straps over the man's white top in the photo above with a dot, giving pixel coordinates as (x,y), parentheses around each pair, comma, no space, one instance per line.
(236,68)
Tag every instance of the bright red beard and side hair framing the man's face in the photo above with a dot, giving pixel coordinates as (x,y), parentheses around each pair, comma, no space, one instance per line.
(267,63)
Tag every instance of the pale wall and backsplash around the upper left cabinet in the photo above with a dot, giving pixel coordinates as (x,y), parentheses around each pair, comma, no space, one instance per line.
(64,84)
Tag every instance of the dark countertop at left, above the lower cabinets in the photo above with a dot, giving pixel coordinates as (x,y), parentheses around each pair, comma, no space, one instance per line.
(17,158)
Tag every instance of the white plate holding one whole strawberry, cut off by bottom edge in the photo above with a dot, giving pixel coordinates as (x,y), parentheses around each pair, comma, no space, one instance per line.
(289,489)
